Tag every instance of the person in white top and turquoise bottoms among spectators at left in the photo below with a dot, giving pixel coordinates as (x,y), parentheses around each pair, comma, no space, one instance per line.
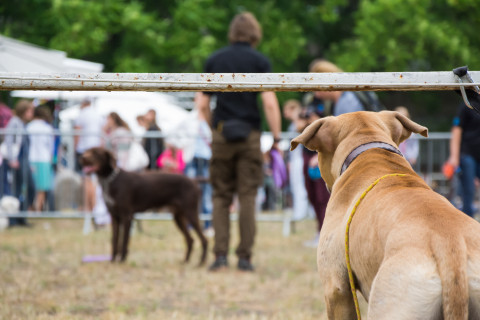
(42,143)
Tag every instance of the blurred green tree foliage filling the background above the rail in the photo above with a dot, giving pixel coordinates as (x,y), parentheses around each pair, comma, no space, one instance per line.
(178,36)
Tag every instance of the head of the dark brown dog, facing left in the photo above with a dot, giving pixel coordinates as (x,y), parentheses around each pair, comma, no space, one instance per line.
(99,161)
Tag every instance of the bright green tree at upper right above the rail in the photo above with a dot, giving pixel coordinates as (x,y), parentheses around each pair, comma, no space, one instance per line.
(411,35)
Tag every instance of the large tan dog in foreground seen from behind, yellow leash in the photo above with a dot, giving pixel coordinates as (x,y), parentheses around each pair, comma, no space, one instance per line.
(413,255)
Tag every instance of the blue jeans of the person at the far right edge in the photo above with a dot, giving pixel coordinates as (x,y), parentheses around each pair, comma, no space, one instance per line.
(470,169)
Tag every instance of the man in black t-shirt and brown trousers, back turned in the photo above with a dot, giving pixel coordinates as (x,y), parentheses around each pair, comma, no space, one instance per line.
(236,164)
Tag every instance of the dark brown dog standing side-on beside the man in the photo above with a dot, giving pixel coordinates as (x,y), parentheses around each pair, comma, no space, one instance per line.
(126,193)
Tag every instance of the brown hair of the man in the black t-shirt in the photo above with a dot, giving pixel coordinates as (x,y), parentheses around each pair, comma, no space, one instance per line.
(245,28)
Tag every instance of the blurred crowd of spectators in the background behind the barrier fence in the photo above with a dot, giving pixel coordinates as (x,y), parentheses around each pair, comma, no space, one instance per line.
(29,162)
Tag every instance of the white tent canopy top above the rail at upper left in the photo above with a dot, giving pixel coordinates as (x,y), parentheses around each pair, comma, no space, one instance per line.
(19,56)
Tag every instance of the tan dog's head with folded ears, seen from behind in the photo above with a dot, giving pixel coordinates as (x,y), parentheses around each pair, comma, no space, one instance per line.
(335,137)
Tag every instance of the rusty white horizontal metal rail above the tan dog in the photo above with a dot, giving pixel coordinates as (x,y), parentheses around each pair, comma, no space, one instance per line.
(374,81)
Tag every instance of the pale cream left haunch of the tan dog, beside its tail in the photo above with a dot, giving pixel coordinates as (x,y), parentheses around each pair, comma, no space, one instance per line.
(407,286)
